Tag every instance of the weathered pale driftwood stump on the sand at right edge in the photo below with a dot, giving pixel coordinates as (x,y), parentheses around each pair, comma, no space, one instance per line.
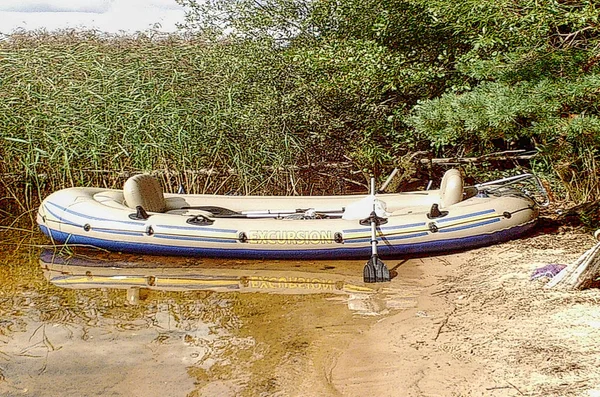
(582,274)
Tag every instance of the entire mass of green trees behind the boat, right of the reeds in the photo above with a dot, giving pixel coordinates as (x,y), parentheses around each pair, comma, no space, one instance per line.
(459,77)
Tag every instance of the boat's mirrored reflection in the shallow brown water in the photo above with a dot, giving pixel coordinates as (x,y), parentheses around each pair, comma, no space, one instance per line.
(138,277)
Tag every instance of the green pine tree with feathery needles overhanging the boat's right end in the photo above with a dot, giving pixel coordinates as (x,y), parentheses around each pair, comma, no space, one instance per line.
(533,72)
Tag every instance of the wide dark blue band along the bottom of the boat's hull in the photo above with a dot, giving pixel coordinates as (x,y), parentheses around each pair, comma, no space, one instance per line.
(395,250)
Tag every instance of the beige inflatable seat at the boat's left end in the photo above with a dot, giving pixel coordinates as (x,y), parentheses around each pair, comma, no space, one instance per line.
(144,190)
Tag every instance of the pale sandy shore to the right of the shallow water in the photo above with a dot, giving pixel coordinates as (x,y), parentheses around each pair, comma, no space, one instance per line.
(482,327)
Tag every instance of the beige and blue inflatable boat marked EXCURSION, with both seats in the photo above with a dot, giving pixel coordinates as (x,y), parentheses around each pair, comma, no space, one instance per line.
(141,218)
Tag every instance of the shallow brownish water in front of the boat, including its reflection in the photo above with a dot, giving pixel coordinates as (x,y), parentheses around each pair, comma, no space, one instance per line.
(91,323)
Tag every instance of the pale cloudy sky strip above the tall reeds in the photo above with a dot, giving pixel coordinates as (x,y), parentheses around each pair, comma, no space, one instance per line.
(111,16)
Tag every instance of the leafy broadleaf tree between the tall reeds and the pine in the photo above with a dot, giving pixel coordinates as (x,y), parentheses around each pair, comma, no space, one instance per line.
(355,67)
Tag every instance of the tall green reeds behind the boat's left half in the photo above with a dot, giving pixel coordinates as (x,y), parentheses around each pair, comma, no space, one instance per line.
(77,109)
